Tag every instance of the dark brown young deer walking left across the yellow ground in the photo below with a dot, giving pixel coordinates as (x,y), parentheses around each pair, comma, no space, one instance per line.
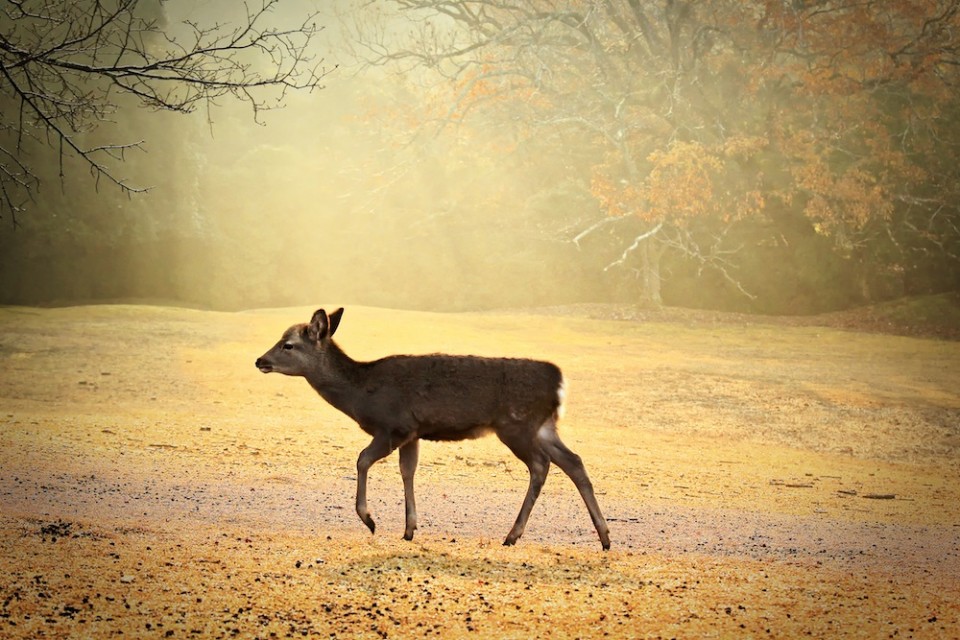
(401,399)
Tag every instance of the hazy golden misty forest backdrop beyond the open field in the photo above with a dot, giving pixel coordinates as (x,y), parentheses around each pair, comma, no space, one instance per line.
(764,156)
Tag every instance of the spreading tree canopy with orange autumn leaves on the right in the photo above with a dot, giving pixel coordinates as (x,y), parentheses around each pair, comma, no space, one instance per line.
(698,116)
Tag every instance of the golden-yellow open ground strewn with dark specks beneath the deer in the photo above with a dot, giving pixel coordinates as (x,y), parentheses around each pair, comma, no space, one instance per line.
(760,480)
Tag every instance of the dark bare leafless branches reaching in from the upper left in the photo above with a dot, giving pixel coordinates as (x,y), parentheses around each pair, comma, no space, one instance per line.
(67,67)
